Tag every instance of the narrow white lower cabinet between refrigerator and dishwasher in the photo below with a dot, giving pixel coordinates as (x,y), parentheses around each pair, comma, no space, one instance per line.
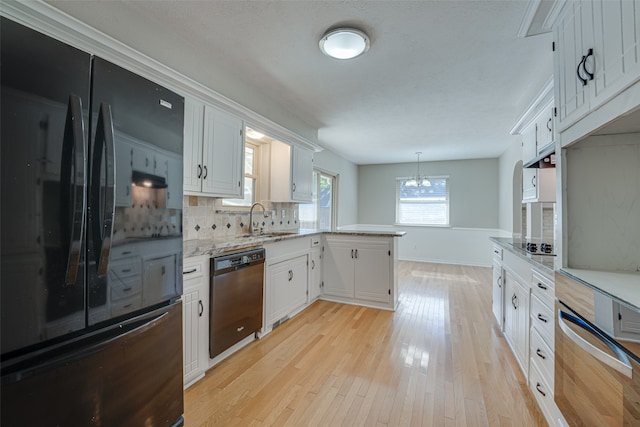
(195,300)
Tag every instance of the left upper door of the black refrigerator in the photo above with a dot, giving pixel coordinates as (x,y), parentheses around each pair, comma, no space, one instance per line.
(44,111)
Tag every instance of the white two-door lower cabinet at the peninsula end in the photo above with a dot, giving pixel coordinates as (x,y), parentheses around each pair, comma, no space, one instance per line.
(360,270)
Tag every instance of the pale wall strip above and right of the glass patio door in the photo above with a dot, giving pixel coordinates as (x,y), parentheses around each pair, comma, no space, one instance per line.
(347,173)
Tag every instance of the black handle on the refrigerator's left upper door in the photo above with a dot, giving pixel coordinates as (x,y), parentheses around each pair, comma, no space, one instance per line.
(73,173)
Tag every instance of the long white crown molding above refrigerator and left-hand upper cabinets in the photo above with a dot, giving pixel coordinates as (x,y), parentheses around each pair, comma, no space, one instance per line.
(53,22)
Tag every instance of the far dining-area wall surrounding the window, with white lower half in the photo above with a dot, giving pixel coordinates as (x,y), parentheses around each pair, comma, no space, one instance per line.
(473,210)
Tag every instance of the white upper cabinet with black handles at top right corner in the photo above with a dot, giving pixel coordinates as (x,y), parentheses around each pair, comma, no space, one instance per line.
(597,56)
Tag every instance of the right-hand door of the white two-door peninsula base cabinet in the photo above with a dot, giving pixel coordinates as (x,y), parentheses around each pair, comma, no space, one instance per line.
(373,270)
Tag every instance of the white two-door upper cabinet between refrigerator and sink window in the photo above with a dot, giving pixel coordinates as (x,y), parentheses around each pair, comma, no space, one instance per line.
(213,151)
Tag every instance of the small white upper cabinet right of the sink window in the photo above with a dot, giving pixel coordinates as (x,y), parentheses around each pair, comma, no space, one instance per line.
(291,173)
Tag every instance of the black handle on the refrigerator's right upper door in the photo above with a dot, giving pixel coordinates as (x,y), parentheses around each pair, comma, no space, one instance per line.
(103,219)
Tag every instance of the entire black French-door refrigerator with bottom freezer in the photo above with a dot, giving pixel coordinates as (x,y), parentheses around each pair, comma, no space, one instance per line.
(91,231)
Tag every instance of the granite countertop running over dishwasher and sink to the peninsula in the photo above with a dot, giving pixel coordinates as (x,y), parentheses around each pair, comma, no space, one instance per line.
(213,247)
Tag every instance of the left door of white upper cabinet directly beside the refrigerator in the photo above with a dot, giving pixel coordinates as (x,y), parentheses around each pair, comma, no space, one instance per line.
(193,134)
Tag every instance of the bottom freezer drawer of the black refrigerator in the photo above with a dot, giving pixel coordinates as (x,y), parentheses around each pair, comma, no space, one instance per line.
(130,379)
